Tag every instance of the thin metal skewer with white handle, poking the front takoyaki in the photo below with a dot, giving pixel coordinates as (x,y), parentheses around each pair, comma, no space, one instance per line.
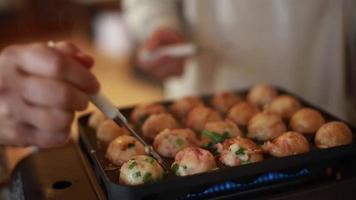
(105,105)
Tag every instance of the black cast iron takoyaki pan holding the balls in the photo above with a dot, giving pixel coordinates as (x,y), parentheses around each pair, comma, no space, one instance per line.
(172,187)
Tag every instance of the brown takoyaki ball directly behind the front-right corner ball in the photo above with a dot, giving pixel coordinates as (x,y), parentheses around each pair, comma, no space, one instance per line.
(306,120)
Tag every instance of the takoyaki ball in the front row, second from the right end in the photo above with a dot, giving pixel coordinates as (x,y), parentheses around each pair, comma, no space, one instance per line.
(287,144)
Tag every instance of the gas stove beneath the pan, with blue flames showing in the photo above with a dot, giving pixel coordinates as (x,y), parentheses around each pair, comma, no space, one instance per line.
(65,173)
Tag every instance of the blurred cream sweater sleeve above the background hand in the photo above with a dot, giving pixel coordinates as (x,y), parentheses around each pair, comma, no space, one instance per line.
(145,16)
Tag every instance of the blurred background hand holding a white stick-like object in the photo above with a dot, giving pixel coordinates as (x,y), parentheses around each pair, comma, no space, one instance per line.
(164,66)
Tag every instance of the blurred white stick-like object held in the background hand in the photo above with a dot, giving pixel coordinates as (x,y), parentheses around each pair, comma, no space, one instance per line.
(173,51)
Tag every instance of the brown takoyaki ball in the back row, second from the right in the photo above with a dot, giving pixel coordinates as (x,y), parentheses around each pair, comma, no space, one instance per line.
(223,101)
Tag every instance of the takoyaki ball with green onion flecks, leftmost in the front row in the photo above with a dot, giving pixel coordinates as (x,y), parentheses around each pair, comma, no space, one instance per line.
(140,170)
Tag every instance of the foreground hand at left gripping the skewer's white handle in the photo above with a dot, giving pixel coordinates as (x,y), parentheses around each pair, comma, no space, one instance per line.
(41,88)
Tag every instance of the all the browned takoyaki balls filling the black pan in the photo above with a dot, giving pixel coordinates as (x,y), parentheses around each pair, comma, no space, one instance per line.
(193,125)
